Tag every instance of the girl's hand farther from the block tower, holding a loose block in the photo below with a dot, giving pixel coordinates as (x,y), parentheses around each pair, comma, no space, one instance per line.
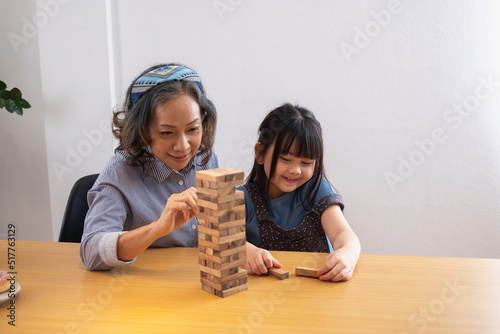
(339,266)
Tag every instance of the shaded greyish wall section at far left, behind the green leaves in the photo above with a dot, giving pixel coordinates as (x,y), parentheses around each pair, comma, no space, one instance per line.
(24,185)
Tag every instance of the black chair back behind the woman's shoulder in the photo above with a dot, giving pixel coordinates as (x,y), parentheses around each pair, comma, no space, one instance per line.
(76,209)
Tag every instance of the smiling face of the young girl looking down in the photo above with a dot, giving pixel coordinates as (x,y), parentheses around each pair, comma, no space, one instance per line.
(290,172)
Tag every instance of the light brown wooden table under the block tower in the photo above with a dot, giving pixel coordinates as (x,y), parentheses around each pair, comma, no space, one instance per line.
(161,293)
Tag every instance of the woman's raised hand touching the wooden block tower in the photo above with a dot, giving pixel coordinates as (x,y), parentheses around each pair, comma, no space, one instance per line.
(180,209)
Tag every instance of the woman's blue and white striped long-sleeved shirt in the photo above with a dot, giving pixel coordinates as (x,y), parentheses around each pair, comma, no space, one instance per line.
(124,198)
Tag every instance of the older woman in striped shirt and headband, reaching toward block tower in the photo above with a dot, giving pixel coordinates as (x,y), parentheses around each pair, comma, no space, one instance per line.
(145,196)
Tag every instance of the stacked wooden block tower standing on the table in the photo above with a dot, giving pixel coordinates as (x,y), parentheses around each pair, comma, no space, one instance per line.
(221,231)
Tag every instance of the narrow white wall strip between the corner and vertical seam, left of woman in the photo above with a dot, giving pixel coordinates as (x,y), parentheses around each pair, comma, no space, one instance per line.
(75,82)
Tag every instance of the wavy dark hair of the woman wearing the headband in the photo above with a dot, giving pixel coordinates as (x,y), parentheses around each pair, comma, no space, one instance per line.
(131,122)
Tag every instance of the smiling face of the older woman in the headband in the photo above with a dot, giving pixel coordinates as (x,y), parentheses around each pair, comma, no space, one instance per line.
(175,131)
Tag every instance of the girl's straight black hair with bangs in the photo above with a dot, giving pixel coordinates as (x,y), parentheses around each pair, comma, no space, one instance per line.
(287,125)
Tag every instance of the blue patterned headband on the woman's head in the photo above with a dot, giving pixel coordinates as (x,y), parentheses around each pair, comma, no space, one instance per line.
(161,75)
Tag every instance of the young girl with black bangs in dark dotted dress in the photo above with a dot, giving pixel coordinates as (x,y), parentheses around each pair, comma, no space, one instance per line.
(290,204)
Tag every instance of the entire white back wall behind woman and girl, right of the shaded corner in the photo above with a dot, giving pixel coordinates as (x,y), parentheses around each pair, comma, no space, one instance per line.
(411,128)
